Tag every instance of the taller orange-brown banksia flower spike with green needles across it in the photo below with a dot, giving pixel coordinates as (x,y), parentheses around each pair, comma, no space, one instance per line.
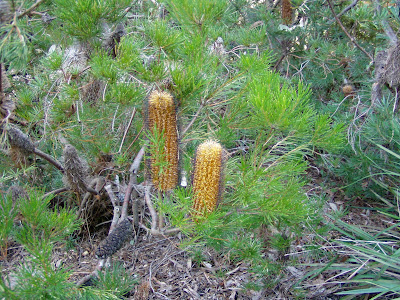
(161,121)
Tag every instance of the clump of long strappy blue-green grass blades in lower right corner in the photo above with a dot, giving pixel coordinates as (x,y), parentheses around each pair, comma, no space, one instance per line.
(373,260)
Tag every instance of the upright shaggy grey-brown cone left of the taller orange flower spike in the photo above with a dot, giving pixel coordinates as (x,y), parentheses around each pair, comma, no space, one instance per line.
(75,170)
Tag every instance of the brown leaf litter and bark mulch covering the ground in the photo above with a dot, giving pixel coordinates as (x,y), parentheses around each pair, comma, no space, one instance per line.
(166,271)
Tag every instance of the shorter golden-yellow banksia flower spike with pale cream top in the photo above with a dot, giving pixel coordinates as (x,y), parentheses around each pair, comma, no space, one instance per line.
(208,176)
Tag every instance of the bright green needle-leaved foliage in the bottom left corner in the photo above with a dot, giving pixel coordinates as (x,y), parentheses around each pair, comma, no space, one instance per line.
(41,228)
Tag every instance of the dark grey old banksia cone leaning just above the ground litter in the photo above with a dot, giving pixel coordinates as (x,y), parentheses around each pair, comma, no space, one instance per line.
(115,240)
